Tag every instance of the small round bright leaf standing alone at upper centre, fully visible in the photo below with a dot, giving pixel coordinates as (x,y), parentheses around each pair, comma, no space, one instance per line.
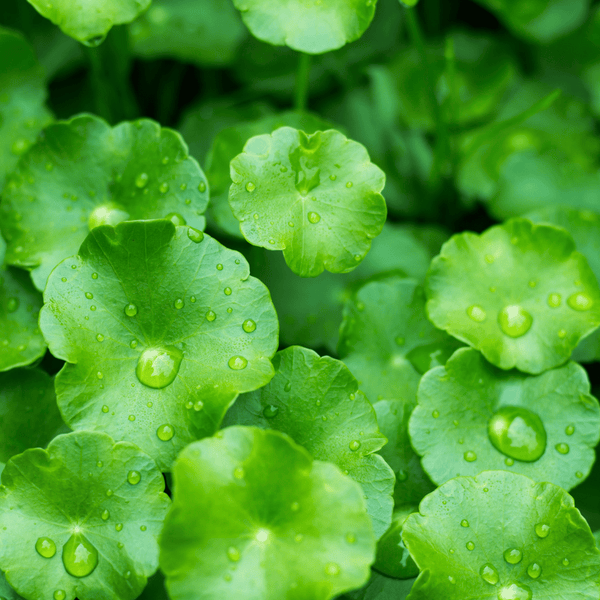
(316,197)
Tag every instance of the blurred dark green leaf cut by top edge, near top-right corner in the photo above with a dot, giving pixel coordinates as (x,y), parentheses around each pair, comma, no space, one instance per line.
(539,20)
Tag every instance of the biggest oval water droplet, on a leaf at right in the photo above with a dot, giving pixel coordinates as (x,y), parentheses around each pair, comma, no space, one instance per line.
(517,433)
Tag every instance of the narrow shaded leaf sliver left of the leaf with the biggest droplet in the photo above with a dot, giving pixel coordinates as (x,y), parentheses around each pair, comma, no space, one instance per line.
(412,483)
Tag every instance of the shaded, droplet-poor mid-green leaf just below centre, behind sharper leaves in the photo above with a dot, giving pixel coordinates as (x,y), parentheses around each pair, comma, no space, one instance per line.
(387,341)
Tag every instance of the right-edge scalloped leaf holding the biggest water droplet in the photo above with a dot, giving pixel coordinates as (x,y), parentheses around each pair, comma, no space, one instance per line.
(473,417)
